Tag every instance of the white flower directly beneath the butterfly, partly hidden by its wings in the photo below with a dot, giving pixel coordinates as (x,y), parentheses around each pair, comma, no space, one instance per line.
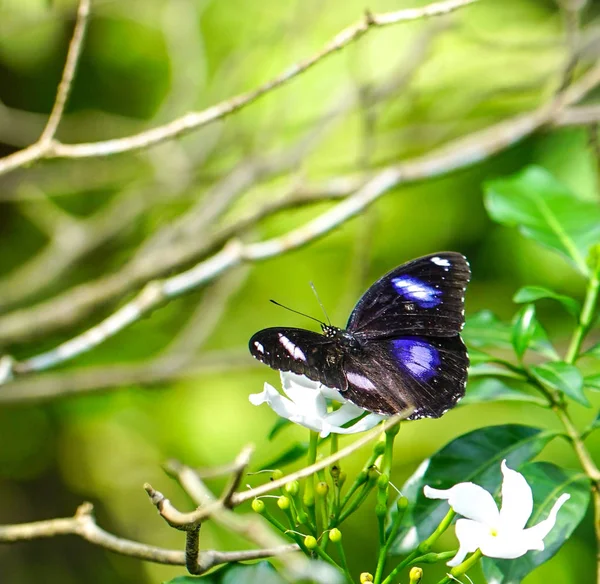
(307,404)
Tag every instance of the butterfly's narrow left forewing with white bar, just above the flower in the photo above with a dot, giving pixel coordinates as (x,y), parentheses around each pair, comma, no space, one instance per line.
(303,352)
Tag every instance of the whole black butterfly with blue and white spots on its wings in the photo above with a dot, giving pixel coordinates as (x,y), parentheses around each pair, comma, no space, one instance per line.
(400,349)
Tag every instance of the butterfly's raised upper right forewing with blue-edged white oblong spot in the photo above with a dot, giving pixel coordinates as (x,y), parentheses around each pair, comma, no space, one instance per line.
(422,297)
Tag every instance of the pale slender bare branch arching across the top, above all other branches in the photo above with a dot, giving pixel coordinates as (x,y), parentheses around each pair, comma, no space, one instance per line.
(195,120)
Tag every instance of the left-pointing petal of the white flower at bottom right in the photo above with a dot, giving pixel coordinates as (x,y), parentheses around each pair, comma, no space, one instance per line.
(469,500)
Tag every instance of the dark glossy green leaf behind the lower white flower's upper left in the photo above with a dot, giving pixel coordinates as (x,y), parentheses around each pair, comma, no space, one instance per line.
(476,457)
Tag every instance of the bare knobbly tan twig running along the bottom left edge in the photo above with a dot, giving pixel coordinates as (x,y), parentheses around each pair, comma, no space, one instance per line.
(84,525)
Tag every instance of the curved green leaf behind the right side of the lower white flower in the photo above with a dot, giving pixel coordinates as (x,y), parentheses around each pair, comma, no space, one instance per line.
(548,482)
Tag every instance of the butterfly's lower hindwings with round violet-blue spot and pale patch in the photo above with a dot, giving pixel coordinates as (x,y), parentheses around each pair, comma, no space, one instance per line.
(428,374)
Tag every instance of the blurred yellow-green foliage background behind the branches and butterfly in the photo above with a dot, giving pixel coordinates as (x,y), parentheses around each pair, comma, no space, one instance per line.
(397,93)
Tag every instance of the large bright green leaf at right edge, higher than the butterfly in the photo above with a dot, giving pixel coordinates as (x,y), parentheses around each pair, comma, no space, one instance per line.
(547,211)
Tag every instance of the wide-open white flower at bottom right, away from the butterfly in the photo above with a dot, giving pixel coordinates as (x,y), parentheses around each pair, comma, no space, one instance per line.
(498,534)
